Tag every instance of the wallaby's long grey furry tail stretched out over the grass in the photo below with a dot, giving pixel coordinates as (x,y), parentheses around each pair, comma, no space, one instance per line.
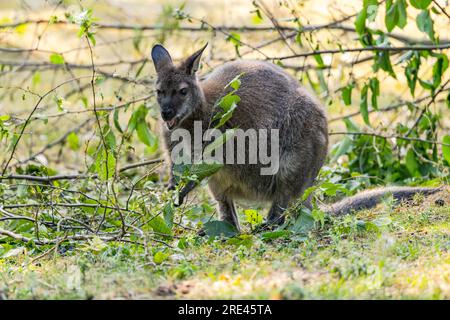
(370,198)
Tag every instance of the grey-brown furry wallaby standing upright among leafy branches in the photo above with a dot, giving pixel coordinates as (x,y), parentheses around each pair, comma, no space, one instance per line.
(270,98)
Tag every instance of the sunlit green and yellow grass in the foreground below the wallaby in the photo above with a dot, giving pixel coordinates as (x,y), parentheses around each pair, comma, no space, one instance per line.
(406,256)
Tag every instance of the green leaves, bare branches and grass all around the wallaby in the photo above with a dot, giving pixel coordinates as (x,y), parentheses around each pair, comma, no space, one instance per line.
(84,211)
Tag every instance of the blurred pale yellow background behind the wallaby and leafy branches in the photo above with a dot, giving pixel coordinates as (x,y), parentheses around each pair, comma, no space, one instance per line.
(41,47)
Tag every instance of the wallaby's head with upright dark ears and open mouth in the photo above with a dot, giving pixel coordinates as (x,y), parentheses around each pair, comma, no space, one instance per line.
(178,92)
